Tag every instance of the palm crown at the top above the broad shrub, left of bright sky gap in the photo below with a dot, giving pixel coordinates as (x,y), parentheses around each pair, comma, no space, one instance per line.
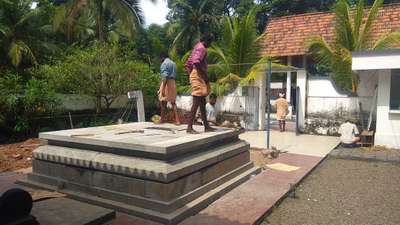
(106,17)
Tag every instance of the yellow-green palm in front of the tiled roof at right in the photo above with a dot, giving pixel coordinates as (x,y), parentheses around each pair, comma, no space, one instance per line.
(352,34)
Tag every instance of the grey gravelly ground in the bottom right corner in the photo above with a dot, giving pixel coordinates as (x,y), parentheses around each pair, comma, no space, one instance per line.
(344,192)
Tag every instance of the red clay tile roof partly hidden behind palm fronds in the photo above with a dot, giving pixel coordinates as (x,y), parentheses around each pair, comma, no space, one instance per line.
(286,36)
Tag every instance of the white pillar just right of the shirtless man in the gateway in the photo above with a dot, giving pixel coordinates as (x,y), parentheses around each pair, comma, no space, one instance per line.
(301,105)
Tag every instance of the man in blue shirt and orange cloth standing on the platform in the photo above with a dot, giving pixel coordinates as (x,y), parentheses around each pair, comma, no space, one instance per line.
(167,91)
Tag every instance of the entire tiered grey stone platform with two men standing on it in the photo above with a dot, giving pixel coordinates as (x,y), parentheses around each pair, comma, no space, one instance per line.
(157,172)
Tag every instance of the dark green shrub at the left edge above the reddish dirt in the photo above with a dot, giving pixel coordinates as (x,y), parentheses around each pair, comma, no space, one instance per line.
(22,102)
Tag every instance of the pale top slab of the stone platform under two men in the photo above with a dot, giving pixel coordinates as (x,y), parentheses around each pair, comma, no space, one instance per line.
(147,137)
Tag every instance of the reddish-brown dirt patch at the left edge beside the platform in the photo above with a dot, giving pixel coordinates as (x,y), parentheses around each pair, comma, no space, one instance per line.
(17,156)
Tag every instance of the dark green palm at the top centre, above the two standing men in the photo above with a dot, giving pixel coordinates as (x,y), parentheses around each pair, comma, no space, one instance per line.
(191,18)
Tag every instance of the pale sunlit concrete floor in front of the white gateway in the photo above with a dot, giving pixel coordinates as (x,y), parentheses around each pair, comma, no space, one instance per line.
(311,145)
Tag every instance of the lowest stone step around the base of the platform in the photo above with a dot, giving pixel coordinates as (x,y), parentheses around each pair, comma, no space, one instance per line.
(195,201)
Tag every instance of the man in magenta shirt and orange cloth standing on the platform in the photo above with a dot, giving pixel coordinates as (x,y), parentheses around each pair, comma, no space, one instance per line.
(197,67)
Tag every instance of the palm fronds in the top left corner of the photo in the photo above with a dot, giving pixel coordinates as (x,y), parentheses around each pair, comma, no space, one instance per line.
(23,32)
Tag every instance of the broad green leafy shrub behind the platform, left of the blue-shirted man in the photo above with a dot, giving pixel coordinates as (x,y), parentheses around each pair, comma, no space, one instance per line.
(103,72)
